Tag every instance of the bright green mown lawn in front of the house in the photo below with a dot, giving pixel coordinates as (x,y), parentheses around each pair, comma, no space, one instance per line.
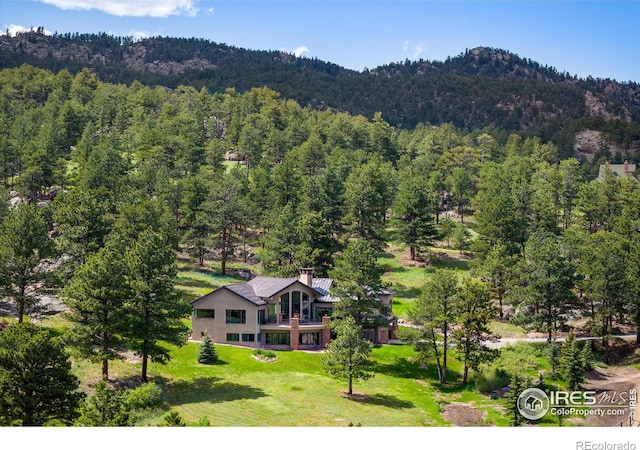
(295,391)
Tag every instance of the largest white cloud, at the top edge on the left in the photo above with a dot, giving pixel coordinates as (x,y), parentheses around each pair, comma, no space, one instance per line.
(136,8)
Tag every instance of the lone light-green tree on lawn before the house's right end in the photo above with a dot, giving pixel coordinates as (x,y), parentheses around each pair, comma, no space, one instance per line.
(348,355)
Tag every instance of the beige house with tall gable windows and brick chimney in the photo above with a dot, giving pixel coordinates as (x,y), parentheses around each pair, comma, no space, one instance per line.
(278,313)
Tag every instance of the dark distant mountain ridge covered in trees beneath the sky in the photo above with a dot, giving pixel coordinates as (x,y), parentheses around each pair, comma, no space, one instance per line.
(479,88)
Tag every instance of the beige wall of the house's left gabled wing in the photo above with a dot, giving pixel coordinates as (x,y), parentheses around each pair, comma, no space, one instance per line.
(220,301)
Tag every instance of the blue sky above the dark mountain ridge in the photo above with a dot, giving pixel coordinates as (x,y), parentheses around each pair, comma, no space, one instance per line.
(580,37)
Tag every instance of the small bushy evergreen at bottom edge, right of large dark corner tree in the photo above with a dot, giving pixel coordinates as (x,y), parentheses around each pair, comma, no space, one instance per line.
(105,409)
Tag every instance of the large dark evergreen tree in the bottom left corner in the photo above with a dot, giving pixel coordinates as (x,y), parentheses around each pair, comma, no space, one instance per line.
(36,378)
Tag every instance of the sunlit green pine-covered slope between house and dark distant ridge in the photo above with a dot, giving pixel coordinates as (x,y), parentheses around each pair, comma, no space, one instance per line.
(108,163)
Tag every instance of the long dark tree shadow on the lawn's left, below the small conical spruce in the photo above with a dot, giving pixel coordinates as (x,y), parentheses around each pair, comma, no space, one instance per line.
(209,389)
